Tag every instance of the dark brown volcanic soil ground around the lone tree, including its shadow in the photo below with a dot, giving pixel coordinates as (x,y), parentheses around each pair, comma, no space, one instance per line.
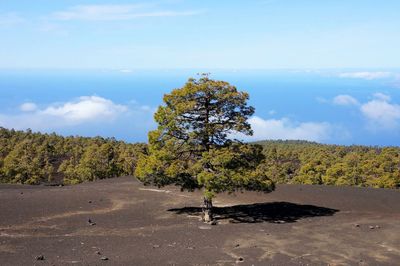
(137,225)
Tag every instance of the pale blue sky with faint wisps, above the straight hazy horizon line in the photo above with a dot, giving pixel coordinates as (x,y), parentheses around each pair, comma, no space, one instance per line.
(190,34)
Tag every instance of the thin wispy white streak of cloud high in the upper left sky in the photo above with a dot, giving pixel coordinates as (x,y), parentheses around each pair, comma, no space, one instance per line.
(115,12)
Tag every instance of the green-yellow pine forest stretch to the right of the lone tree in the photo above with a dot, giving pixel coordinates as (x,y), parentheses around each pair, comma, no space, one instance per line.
(312,163)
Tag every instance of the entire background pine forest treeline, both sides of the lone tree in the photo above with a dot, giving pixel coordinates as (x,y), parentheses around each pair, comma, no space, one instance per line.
(35,158)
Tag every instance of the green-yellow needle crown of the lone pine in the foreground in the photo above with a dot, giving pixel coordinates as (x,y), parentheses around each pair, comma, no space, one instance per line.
(191,148)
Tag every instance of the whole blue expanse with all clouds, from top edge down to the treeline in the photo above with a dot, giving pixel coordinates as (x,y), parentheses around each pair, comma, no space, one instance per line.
(325,71)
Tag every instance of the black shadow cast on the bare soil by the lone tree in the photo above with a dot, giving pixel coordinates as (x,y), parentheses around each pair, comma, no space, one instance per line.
(272,212)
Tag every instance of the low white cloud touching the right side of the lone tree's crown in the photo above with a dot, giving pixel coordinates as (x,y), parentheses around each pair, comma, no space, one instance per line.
(286,129)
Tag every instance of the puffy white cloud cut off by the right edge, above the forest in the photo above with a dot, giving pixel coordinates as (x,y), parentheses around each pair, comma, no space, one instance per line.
(381,113)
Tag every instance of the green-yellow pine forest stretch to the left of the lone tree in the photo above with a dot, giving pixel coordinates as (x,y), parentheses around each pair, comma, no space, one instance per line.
(33,158)
